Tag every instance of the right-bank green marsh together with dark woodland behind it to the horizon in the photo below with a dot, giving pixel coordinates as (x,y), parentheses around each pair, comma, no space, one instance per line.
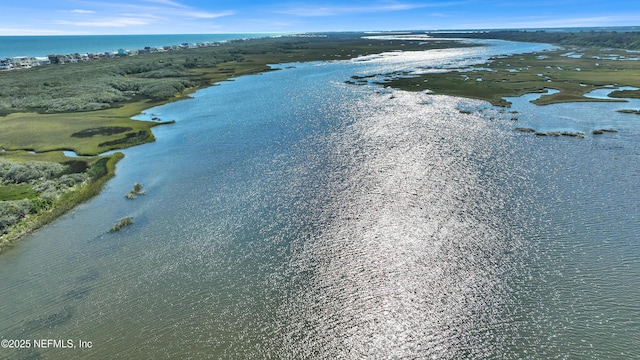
(585,63)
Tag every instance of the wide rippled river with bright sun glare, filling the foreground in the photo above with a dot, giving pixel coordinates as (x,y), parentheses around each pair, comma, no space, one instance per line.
(291,215)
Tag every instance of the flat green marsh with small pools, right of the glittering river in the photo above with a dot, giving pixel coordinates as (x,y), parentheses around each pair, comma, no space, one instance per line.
(521,74)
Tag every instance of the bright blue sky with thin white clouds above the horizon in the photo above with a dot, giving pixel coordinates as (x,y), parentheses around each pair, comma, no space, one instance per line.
(63,17)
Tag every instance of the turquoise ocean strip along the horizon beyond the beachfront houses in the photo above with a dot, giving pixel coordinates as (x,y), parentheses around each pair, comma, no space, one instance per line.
(11,46)
